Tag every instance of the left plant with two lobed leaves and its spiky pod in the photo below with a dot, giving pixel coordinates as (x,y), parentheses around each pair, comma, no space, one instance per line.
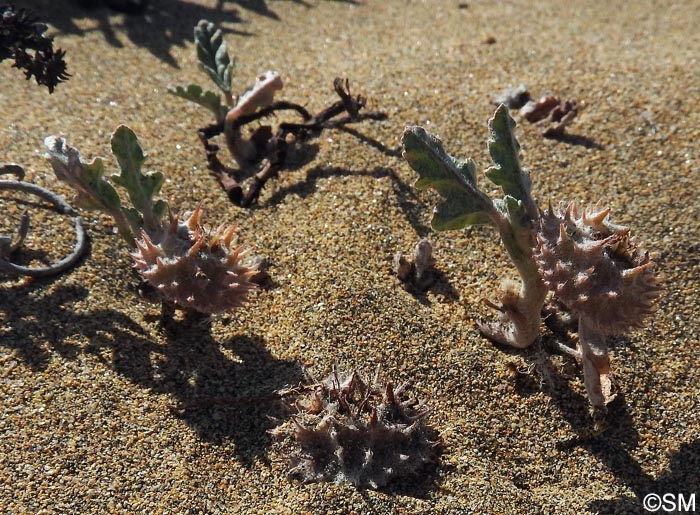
(191,267)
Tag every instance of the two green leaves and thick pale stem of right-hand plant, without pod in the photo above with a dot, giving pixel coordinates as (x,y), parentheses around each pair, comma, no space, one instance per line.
(513,217)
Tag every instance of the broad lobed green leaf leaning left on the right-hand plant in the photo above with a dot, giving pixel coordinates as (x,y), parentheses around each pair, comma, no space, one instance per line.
(454,179)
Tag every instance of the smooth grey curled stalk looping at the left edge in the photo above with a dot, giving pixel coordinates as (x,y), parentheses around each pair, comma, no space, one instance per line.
(10,244)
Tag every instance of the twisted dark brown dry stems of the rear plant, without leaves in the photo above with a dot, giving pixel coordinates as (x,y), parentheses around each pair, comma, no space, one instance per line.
(274,147)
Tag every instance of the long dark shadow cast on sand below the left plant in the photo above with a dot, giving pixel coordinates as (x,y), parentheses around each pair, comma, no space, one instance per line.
(200,373)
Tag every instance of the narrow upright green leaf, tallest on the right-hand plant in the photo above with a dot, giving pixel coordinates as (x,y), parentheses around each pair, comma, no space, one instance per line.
(505,149)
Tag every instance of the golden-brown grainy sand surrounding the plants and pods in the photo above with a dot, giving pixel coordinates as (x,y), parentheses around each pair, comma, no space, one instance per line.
(91,381)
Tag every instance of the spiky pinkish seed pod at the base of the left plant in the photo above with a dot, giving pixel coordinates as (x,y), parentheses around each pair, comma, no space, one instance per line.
(194,269)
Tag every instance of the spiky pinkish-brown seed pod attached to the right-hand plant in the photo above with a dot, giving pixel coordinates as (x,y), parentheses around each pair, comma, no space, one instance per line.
(595,268)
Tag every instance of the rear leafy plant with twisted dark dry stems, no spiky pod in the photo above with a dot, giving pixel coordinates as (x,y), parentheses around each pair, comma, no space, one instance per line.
(263,144)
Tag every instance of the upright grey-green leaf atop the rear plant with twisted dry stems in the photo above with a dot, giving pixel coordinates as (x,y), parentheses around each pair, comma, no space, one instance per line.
(212,53)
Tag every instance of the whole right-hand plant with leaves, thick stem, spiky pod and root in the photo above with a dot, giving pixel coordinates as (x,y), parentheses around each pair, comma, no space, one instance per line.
(593,267)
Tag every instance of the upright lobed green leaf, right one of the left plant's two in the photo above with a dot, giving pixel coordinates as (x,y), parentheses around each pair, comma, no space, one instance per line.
(140,187)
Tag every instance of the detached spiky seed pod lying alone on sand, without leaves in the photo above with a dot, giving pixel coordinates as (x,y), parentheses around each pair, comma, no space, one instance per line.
(352,431)
